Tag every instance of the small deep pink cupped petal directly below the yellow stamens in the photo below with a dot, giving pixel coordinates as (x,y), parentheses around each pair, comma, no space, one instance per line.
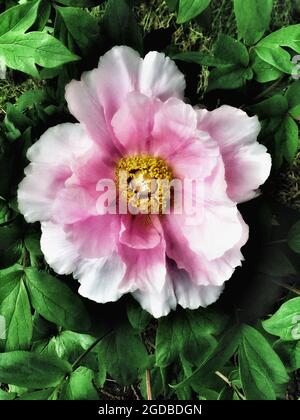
(140,231)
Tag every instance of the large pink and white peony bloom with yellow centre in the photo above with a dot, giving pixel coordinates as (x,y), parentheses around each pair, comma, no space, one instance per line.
(132,116)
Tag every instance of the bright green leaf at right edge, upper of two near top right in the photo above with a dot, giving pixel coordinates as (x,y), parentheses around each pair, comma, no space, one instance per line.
(285,37)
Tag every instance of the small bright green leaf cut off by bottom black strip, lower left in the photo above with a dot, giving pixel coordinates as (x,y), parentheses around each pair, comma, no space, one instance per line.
(80,386)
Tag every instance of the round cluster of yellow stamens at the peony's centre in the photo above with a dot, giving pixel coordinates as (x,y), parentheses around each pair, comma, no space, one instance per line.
(143,183)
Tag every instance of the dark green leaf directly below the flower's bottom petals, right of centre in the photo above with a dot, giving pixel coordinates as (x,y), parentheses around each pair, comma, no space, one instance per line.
(186,334)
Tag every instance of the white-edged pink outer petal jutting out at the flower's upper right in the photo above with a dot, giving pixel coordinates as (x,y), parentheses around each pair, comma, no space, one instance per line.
(247,163)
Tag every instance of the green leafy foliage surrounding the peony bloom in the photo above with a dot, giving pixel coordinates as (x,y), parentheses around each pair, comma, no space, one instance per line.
(60,346)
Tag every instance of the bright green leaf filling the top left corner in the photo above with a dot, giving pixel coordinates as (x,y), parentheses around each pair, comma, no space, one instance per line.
(19,18)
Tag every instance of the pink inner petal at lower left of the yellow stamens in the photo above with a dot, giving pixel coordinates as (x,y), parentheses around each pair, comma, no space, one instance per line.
(96,236)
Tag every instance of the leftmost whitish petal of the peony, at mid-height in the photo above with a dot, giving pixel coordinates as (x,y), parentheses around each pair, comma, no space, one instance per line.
(37,191)
